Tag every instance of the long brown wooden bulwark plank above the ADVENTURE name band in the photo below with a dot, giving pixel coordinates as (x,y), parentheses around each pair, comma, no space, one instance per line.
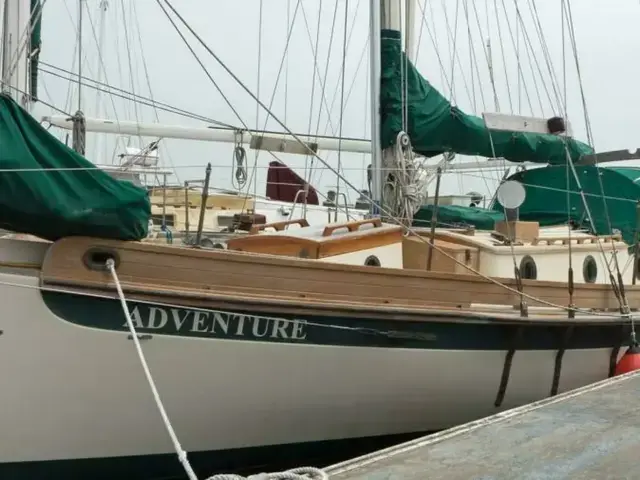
(199,274)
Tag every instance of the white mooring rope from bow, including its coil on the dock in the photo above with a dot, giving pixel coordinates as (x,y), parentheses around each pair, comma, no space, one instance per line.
(301,473)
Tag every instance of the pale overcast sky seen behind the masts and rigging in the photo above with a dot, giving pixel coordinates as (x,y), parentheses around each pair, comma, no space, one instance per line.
(139,40)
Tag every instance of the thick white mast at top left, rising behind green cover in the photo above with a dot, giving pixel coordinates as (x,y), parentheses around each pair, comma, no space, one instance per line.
(16,42)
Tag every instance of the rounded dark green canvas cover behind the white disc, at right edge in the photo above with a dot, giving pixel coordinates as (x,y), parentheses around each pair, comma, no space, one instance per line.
(546,199)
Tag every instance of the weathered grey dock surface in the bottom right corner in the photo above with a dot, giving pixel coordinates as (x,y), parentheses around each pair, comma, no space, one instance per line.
(588,433)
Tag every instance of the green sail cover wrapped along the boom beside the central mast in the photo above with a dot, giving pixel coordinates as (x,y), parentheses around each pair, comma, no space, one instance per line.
(435,126)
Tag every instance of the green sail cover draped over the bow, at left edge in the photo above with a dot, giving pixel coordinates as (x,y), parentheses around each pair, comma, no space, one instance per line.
(59,203)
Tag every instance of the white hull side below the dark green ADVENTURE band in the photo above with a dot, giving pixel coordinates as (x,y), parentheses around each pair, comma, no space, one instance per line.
(71,392)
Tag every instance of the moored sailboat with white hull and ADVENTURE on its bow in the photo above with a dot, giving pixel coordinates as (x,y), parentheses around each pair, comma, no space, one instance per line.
(288,341)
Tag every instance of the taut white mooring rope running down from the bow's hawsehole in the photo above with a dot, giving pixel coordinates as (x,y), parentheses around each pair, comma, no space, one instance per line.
(182,455)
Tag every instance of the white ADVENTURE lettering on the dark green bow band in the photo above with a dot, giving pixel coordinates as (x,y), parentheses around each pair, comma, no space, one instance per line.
(216,324)
